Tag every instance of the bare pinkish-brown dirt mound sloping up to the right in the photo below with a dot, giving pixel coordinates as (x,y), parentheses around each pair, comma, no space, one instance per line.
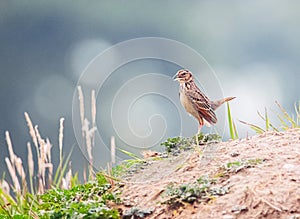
(268,189)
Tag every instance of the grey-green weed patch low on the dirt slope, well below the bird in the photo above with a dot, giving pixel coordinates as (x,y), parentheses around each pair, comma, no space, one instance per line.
(203,190)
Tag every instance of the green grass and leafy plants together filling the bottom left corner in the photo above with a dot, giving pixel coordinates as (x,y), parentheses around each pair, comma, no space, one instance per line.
(81,201)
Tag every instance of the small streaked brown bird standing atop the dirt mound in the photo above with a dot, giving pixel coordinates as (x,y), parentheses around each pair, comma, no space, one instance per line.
(195,102)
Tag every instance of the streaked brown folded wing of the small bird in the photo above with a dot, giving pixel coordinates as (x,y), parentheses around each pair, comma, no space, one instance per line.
(202,104)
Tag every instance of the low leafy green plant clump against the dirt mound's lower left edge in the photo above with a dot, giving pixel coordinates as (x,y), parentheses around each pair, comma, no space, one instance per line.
(81,201)
